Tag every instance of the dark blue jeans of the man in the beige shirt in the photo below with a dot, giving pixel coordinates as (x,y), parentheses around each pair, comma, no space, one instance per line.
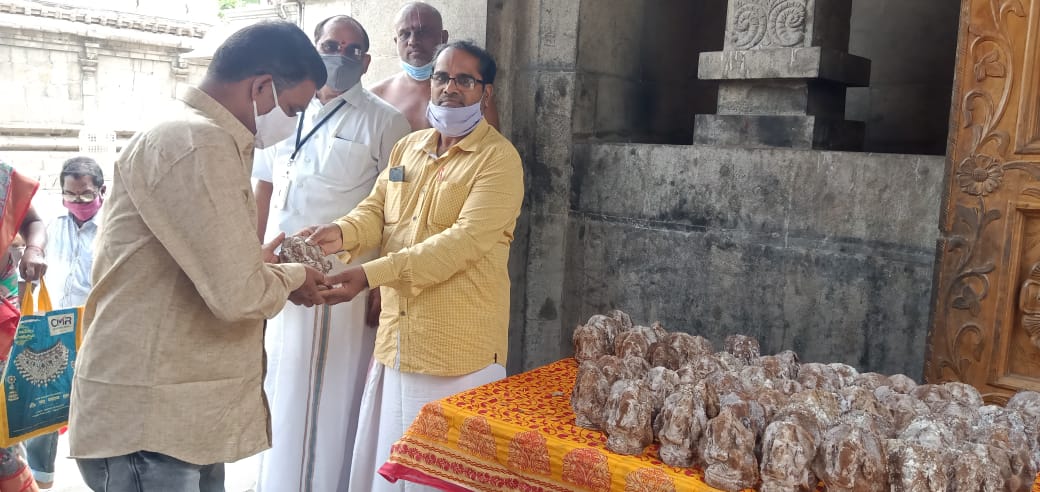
(146,472)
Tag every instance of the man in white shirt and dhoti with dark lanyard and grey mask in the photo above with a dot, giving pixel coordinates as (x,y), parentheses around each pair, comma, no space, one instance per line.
(319,357)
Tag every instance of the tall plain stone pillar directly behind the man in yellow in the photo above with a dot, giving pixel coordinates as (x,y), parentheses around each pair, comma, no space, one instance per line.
(537,49)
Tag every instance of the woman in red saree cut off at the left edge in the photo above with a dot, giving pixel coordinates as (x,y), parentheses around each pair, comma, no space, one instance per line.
(17,216)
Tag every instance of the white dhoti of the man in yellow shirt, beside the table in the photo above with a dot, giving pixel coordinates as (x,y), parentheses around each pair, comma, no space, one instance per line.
(392,402)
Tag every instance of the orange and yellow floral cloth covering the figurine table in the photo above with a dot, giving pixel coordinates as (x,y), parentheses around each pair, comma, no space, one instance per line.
(519,434)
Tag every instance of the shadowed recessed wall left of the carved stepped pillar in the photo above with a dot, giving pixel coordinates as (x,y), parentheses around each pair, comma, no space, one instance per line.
(638,68)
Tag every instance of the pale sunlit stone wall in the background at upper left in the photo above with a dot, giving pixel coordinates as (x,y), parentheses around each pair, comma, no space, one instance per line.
(63,75)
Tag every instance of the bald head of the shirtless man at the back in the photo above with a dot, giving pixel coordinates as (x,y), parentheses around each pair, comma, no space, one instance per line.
(419,31)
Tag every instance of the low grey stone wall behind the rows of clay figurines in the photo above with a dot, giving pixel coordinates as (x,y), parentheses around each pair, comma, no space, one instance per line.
(828,254)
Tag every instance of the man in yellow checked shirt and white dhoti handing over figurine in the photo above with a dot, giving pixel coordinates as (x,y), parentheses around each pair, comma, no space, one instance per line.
(444,213)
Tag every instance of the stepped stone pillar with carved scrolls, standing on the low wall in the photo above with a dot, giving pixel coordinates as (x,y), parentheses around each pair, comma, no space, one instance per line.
(784,73)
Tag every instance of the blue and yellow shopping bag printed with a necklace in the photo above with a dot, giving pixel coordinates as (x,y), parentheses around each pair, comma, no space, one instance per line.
(38,381)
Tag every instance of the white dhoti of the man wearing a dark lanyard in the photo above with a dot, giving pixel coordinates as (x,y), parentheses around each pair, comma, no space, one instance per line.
(318,359)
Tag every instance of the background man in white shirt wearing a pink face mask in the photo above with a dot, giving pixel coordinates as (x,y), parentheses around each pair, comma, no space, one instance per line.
(70,255)
